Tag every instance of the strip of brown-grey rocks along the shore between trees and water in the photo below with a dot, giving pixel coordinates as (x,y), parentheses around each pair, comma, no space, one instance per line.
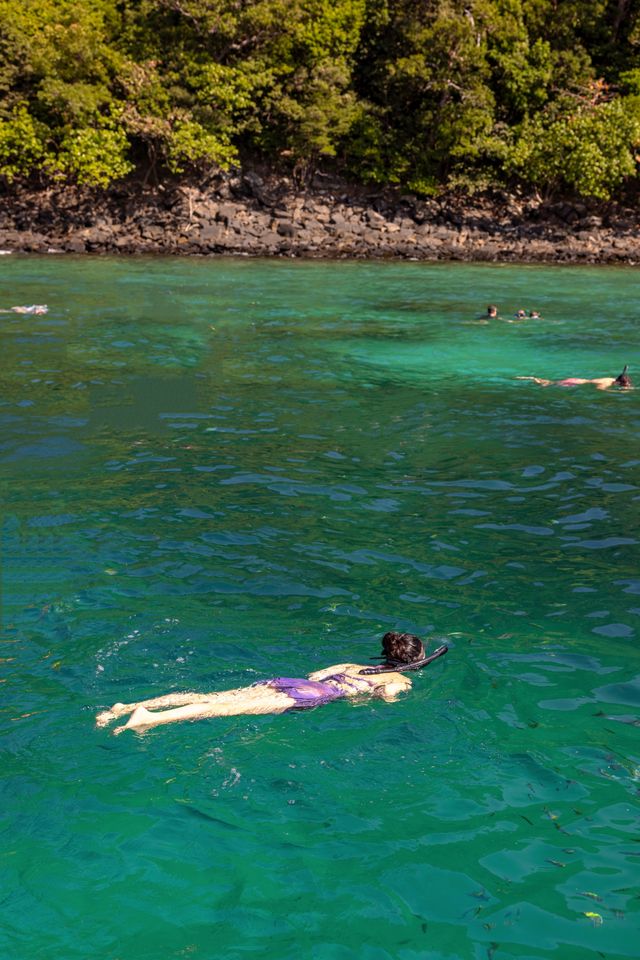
(255,215)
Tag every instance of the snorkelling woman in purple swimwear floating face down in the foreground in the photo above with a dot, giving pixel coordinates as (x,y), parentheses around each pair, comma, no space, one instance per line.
(400,652)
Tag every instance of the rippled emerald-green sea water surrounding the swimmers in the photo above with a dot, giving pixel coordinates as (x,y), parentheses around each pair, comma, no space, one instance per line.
(217,472)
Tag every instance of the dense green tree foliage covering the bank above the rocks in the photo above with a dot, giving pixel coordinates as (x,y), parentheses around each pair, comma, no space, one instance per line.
(421,93)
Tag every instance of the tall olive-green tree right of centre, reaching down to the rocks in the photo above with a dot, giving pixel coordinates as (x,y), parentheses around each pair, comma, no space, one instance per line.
(425,78)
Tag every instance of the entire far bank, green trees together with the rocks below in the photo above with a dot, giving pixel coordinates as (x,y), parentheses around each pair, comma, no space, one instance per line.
(429,129)
